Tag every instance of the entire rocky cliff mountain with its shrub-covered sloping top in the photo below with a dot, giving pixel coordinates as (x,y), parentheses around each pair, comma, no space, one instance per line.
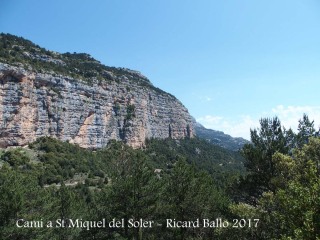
(74,98)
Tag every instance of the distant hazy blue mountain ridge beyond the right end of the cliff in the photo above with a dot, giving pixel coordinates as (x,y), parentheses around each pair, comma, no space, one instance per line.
(219,138)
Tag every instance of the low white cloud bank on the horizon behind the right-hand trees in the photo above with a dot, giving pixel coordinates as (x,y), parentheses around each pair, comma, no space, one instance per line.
(240,127)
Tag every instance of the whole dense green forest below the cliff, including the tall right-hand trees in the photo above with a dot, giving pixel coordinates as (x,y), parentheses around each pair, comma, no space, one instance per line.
(270,191)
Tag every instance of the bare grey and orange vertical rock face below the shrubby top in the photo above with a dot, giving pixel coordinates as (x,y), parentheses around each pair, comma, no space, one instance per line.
(34,104)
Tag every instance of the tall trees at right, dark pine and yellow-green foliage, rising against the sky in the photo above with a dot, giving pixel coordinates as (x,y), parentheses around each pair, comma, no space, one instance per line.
(288,205)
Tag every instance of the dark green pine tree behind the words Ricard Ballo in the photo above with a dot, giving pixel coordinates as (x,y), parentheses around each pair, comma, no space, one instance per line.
(190,195)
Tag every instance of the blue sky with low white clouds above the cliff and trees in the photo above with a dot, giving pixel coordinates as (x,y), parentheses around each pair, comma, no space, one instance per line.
(230,62)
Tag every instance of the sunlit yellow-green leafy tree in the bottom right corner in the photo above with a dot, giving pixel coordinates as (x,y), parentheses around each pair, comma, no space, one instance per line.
(296,202)
